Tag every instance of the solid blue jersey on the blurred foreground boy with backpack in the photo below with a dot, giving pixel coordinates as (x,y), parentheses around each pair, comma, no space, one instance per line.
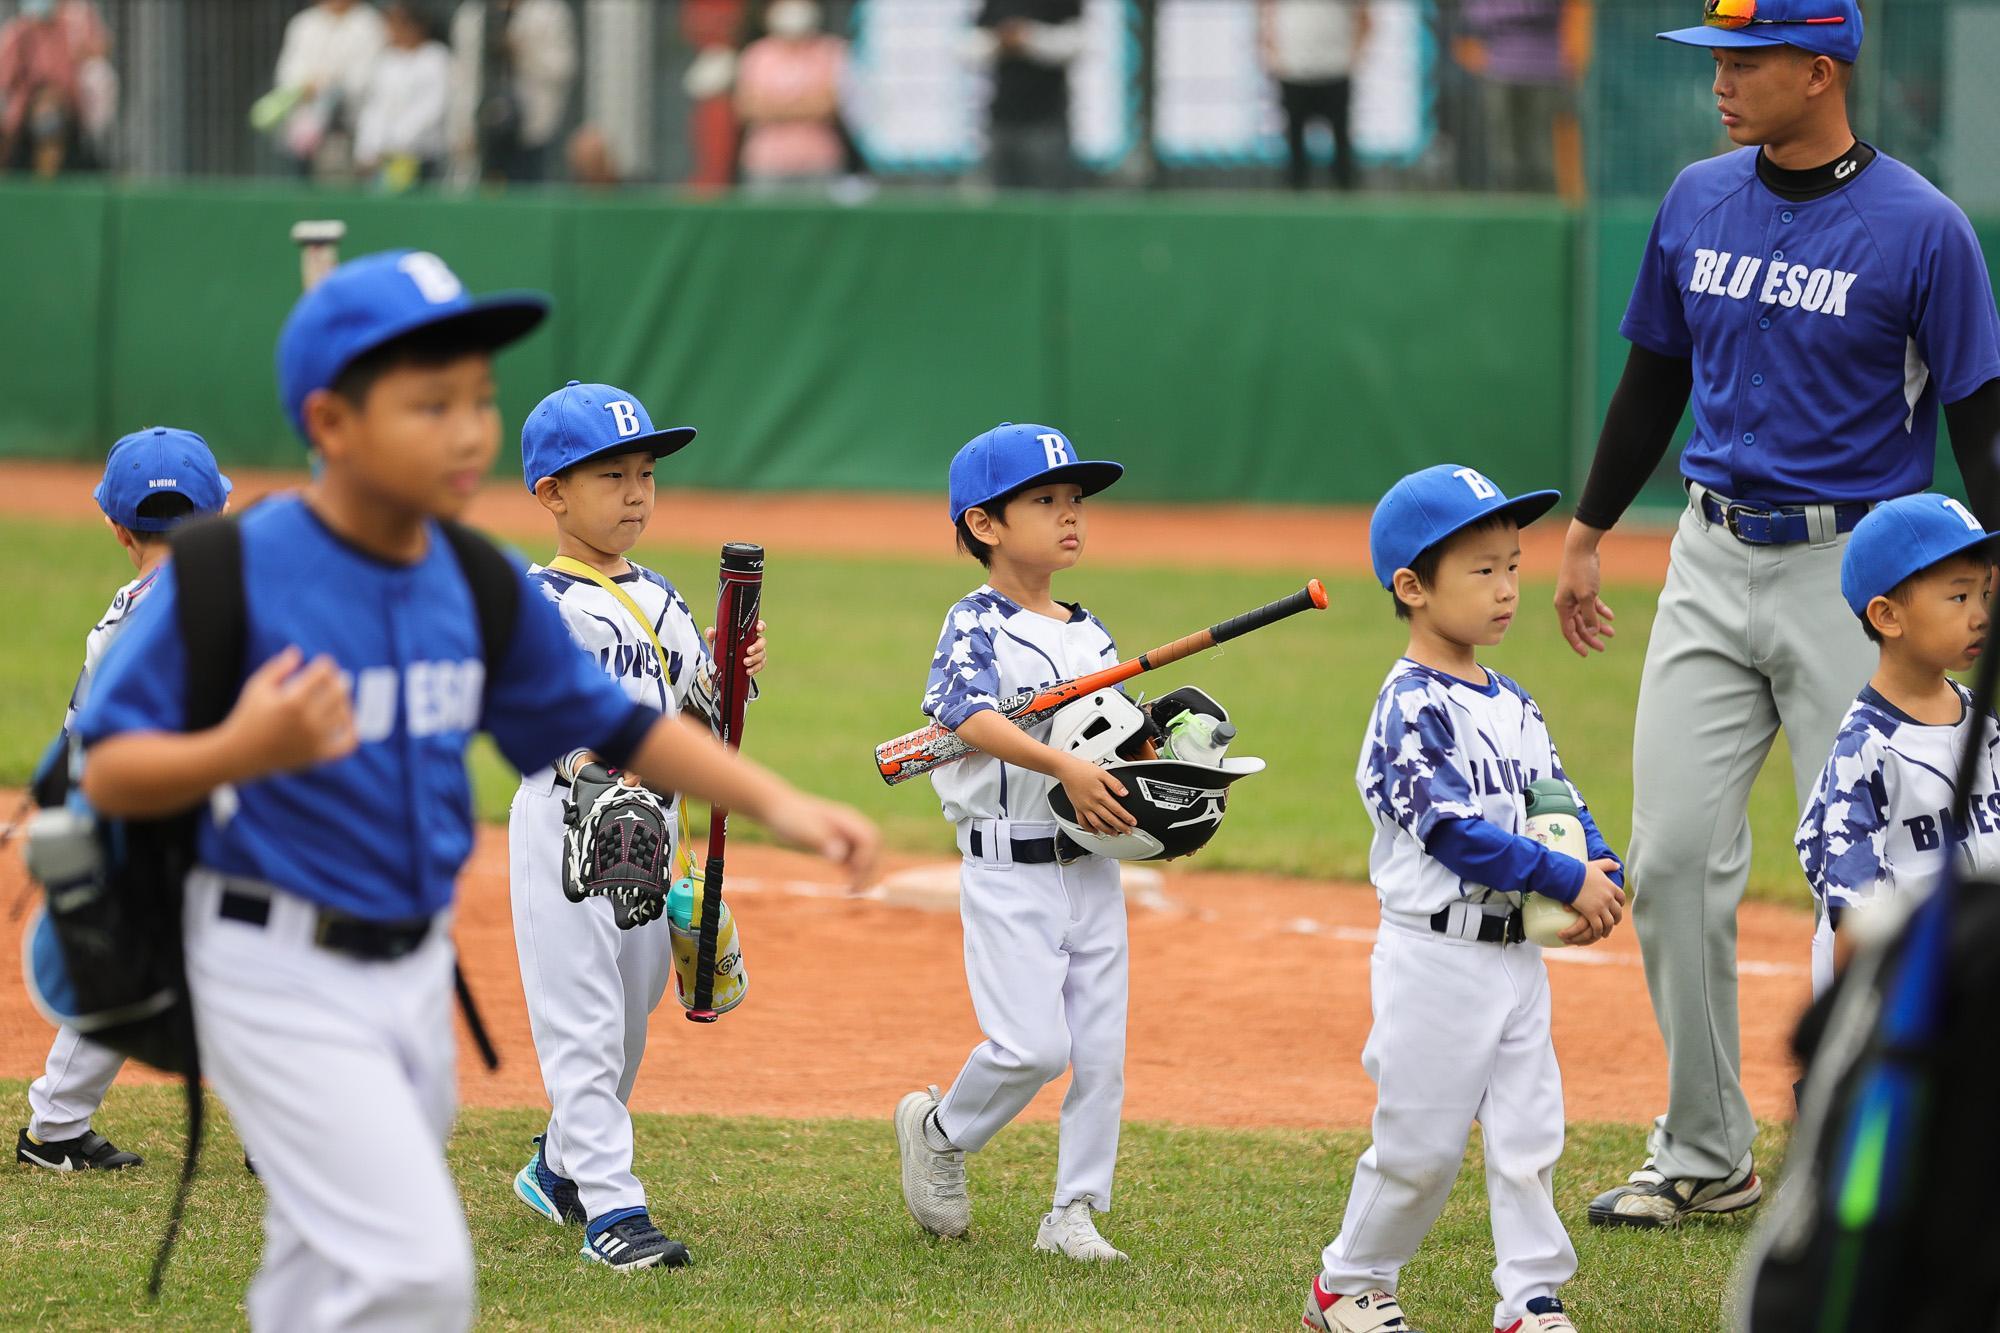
(383,832)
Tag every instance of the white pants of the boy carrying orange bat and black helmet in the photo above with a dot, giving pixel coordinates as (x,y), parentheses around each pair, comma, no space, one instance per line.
(1047,966)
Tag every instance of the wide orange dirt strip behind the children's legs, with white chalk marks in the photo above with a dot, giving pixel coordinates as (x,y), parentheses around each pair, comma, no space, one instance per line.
(1257,1020)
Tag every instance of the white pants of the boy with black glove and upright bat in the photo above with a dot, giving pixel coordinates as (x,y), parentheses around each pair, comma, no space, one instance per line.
(591,992)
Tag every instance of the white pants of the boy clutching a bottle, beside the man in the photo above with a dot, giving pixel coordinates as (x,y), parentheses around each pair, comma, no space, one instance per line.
(1461,1034)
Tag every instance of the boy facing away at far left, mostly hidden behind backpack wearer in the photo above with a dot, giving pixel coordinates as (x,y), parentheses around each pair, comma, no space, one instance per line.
(153,481)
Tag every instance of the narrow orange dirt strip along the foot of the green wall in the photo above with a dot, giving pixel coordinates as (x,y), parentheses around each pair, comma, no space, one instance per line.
(1167,535)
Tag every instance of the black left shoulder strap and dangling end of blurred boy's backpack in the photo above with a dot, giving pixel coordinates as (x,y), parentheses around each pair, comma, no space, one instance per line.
(215,633)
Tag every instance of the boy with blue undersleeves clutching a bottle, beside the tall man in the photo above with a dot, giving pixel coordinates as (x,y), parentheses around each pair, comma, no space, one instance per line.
(1461,1000)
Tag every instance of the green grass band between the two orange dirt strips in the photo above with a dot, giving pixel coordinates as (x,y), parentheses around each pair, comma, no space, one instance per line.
(851,647)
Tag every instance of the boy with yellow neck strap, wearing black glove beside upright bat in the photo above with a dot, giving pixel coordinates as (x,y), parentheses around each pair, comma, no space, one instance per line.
(591,980)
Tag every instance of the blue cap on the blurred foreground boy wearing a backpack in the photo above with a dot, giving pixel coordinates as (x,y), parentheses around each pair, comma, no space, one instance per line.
(377,299)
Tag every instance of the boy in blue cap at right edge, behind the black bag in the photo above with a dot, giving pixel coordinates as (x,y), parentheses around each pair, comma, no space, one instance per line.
(1919,575)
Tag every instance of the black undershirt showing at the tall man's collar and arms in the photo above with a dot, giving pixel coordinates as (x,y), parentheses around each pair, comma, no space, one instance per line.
(1653,393)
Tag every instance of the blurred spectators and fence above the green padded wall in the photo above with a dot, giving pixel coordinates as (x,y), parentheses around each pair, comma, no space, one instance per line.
(845,97)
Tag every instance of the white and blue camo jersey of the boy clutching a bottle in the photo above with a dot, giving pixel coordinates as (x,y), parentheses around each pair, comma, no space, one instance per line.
(1441,748)
